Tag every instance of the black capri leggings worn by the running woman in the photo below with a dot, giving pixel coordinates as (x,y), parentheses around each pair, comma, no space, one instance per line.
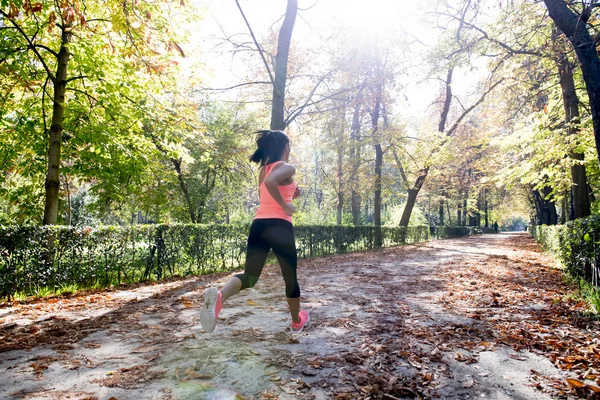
(276,234)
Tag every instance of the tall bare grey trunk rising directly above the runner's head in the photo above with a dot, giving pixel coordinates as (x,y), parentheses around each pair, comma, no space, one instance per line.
(281,60)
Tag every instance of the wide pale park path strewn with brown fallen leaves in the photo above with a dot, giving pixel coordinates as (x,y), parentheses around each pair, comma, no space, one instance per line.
(481,317)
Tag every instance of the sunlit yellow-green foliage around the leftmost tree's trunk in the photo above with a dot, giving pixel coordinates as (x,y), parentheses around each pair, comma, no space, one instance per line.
(120,54)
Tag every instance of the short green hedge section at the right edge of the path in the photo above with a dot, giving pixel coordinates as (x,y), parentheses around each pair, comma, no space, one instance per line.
(575,245)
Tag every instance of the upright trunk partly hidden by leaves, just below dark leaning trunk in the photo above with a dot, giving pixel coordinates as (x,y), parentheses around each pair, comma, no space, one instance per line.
(579,187)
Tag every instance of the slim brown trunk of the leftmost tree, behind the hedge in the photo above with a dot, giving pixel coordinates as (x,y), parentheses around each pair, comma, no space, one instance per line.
(58,112)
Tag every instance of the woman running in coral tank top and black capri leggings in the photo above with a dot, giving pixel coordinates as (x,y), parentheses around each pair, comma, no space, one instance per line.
(271,229)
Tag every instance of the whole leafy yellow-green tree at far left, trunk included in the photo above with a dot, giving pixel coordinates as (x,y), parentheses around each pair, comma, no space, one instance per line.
(87,58)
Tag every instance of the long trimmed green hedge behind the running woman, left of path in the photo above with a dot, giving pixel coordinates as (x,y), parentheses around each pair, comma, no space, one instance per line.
(33,259)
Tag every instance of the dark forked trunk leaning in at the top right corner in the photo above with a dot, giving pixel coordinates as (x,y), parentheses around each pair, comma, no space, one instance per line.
(575,28)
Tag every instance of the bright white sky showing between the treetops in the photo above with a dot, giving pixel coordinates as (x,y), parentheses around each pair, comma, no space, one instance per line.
(316,20)
